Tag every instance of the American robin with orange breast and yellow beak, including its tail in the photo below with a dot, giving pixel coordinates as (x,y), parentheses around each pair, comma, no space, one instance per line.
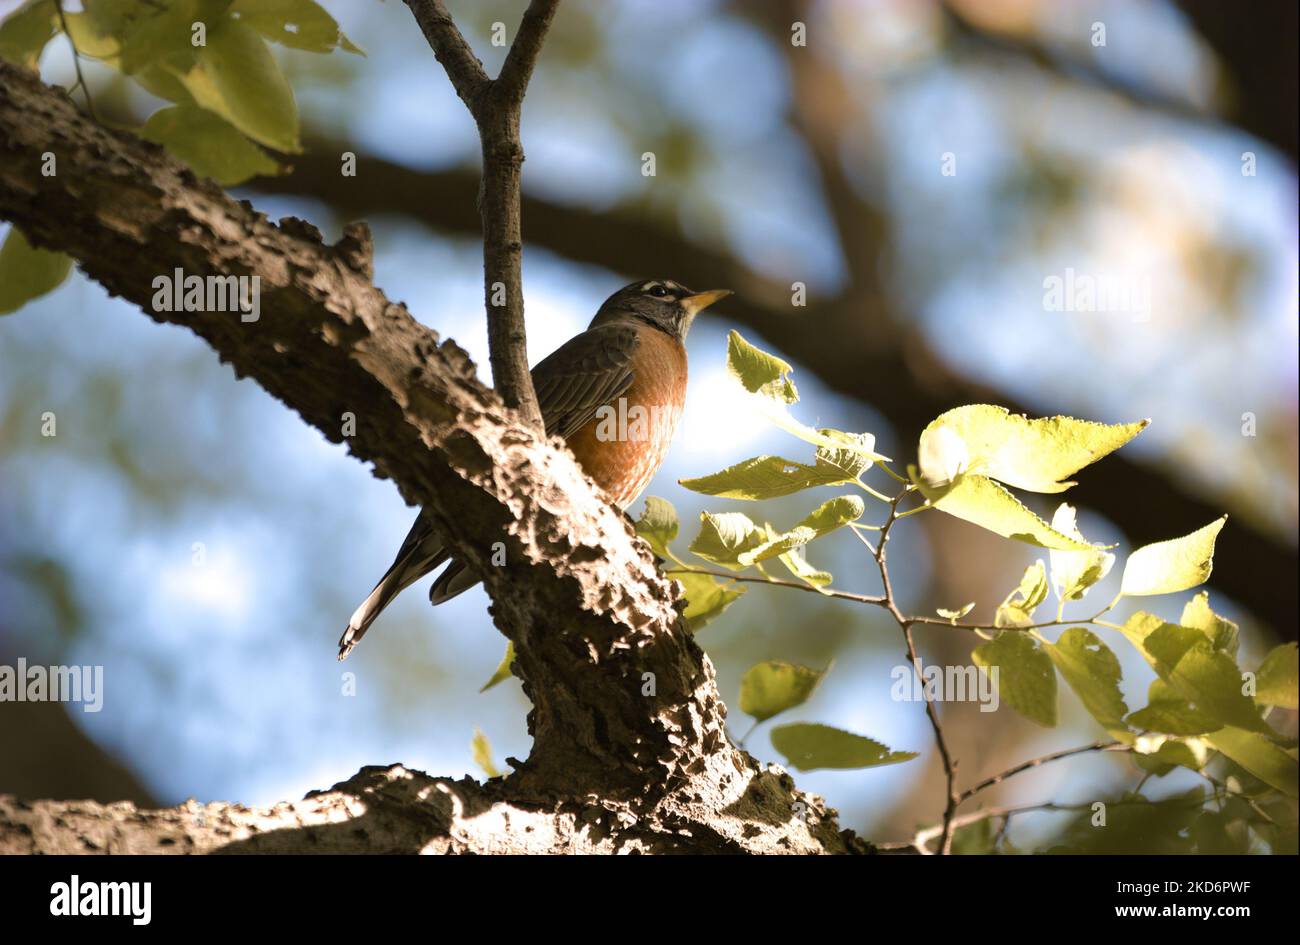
(614,393)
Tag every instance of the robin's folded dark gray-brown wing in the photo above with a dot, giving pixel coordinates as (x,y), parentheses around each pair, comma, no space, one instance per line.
(583,375)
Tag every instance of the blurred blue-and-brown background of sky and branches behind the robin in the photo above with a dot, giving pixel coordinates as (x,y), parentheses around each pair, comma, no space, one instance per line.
(775,164)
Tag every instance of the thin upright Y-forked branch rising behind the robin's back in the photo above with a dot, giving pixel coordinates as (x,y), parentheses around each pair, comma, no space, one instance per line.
(496,107)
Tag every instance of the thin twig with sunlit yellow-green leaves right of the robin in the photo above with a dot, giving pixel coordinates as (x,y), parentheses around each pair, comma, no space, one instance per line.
(967,462)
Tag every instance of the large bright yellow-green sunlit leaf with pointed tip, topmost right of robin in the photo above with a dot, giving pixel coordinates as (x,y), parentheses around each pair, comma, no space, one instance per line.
(1029,454)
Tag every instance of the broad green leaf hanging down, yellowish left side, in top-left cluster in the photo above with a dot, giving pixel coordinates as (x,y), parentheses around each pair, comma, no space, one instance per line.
(237,77)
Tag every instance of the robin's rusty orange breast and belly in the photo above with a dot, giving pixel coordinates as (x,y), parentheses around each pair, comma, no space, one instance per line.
(623,448)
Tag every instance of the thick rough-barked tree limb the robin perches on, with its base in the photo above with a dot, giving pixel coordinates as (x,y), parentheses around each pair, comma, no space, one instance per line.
(612,769)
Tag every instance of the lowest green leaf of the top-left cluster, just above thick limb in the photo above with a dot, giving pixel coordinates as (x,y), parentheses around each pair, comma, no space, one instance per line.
(209,144)
